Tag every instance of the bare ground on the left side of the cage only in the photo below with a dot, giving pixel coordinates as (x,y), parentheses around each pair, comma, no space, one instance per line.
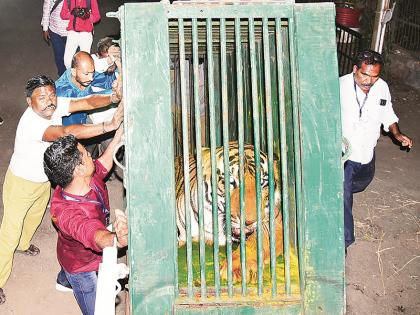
(31,286)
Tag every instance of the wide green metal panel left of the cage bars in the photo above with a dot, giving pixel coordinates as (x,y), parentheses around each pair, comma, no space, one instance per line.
(150,184)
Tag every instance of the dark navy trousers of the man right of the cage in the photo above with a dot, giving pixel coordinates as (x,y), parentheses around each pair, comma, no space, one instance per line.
(357,177)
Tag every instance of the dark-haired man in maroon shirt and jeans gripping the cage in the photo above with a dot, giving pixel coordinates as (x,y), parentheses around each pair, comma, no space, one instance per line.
(80,211)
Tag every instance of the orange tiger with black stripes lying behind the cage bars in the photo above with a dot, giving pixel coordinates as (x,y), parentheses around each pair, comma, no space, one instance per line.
(249,205)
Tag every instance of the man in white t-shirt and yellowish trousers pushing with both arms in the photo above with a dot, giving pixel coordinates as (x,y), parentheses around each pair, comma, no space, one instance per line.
(26,189)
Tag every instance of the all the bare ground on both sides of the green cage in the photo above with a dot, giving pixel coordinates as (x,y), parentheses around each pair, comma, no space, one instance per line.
(382,267)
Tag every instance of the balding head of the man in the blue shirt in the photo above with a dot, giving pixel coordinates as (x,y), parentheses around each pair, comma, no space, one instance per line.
(82,69)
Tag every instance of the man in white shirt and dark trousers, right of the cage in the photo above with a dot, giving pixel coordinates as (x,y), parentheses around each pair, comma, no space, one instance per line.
(365,107)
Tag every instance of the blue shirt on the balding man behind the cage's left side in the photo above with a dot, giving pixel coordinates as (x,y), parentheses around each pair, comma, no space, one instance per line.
(101,84)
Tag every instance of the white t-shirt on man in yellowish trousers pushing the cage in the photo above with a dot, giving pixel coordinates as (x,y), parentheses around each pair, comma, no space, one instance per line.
(27,160)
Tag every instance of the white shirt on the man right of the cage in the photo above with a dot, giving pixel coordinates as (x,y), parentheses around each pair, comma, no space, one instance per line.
(363,132)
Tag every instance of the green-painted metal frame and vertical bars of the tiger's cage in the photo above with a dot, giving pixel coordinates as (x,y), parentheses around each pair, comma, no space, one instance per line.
(309,146)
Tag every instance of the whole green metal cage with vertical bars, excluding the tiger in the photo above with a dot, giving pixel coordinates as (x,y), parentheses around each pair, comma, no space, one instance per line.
(204,75)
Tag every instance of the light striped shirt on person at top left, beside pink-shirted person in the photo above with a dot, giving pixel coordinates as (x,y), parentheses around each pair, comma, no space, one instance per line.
(53,21)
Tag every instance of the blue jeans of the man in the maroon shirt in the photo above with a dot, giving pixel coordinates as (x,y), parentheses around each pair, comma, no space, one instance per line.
(84,289)
